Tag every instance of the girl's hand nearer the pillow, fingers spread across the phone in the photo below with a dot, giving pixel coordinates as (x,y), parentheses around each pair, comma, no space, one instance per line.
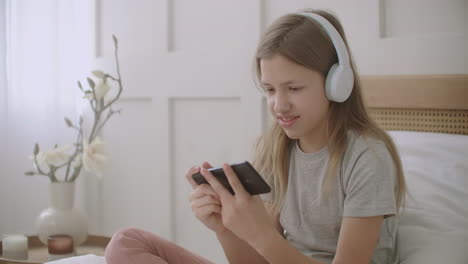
(245,215)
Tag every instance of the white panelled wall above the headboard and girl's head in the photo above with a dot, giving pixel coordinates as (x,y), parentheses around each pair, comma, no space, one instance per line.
(389,37)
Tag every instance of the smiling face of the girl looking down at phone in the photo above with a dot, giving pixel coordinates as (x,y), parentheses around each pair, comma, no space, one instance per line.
(296,99)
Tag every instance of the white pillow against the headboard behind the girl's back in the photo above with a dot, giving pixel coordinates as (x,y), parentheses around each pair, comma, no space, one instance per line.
(434,225)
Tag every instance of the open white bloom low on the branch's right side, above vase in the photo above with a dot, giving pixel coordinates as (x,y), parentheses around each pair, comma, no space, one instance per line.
(94,156)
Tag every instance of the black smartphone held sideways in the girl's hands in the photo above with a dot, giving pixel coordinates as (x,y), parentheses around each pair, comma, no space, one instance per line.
(248,176)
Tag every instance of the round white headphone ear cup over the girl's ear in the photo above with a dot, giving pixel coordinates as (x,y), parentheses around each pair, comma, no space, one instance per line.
(339,83)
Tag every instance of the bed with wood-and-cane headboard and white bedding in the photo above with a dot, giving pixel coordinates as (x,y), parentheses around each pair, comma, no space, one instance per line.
(427,116)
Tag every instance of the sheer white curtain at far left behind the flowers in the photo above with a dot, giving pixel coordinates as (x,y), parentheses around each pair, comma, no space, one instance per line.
(47,51)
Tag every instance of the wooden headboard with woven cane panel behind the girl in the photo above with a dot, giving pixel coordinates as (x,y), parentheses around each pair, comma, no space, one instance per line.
(425,103)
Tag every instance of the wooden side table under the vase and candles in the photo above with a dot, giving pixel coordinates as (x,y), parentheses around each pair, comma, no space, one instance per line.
(38,253)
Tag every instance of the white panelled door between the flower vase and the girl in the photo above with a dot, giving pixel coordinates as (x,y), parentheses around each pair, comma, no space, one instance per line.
(189,97)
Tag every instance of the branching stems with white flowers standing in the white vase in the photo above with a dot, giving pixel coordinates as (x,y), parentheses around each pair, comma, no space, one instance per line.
(89,153)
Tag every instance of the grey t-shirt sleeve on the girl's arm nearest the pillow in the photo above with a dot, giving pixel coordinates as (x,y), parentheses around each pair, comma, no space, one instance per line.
(370,184)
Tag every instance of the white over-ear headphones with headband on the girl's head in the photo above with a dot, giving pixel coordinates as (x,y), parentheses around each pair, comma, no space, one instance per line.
(339,81)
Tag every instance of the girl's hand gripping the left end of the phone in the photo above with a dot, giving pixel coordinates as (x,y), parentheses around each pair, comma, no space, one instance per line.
(205,202)
